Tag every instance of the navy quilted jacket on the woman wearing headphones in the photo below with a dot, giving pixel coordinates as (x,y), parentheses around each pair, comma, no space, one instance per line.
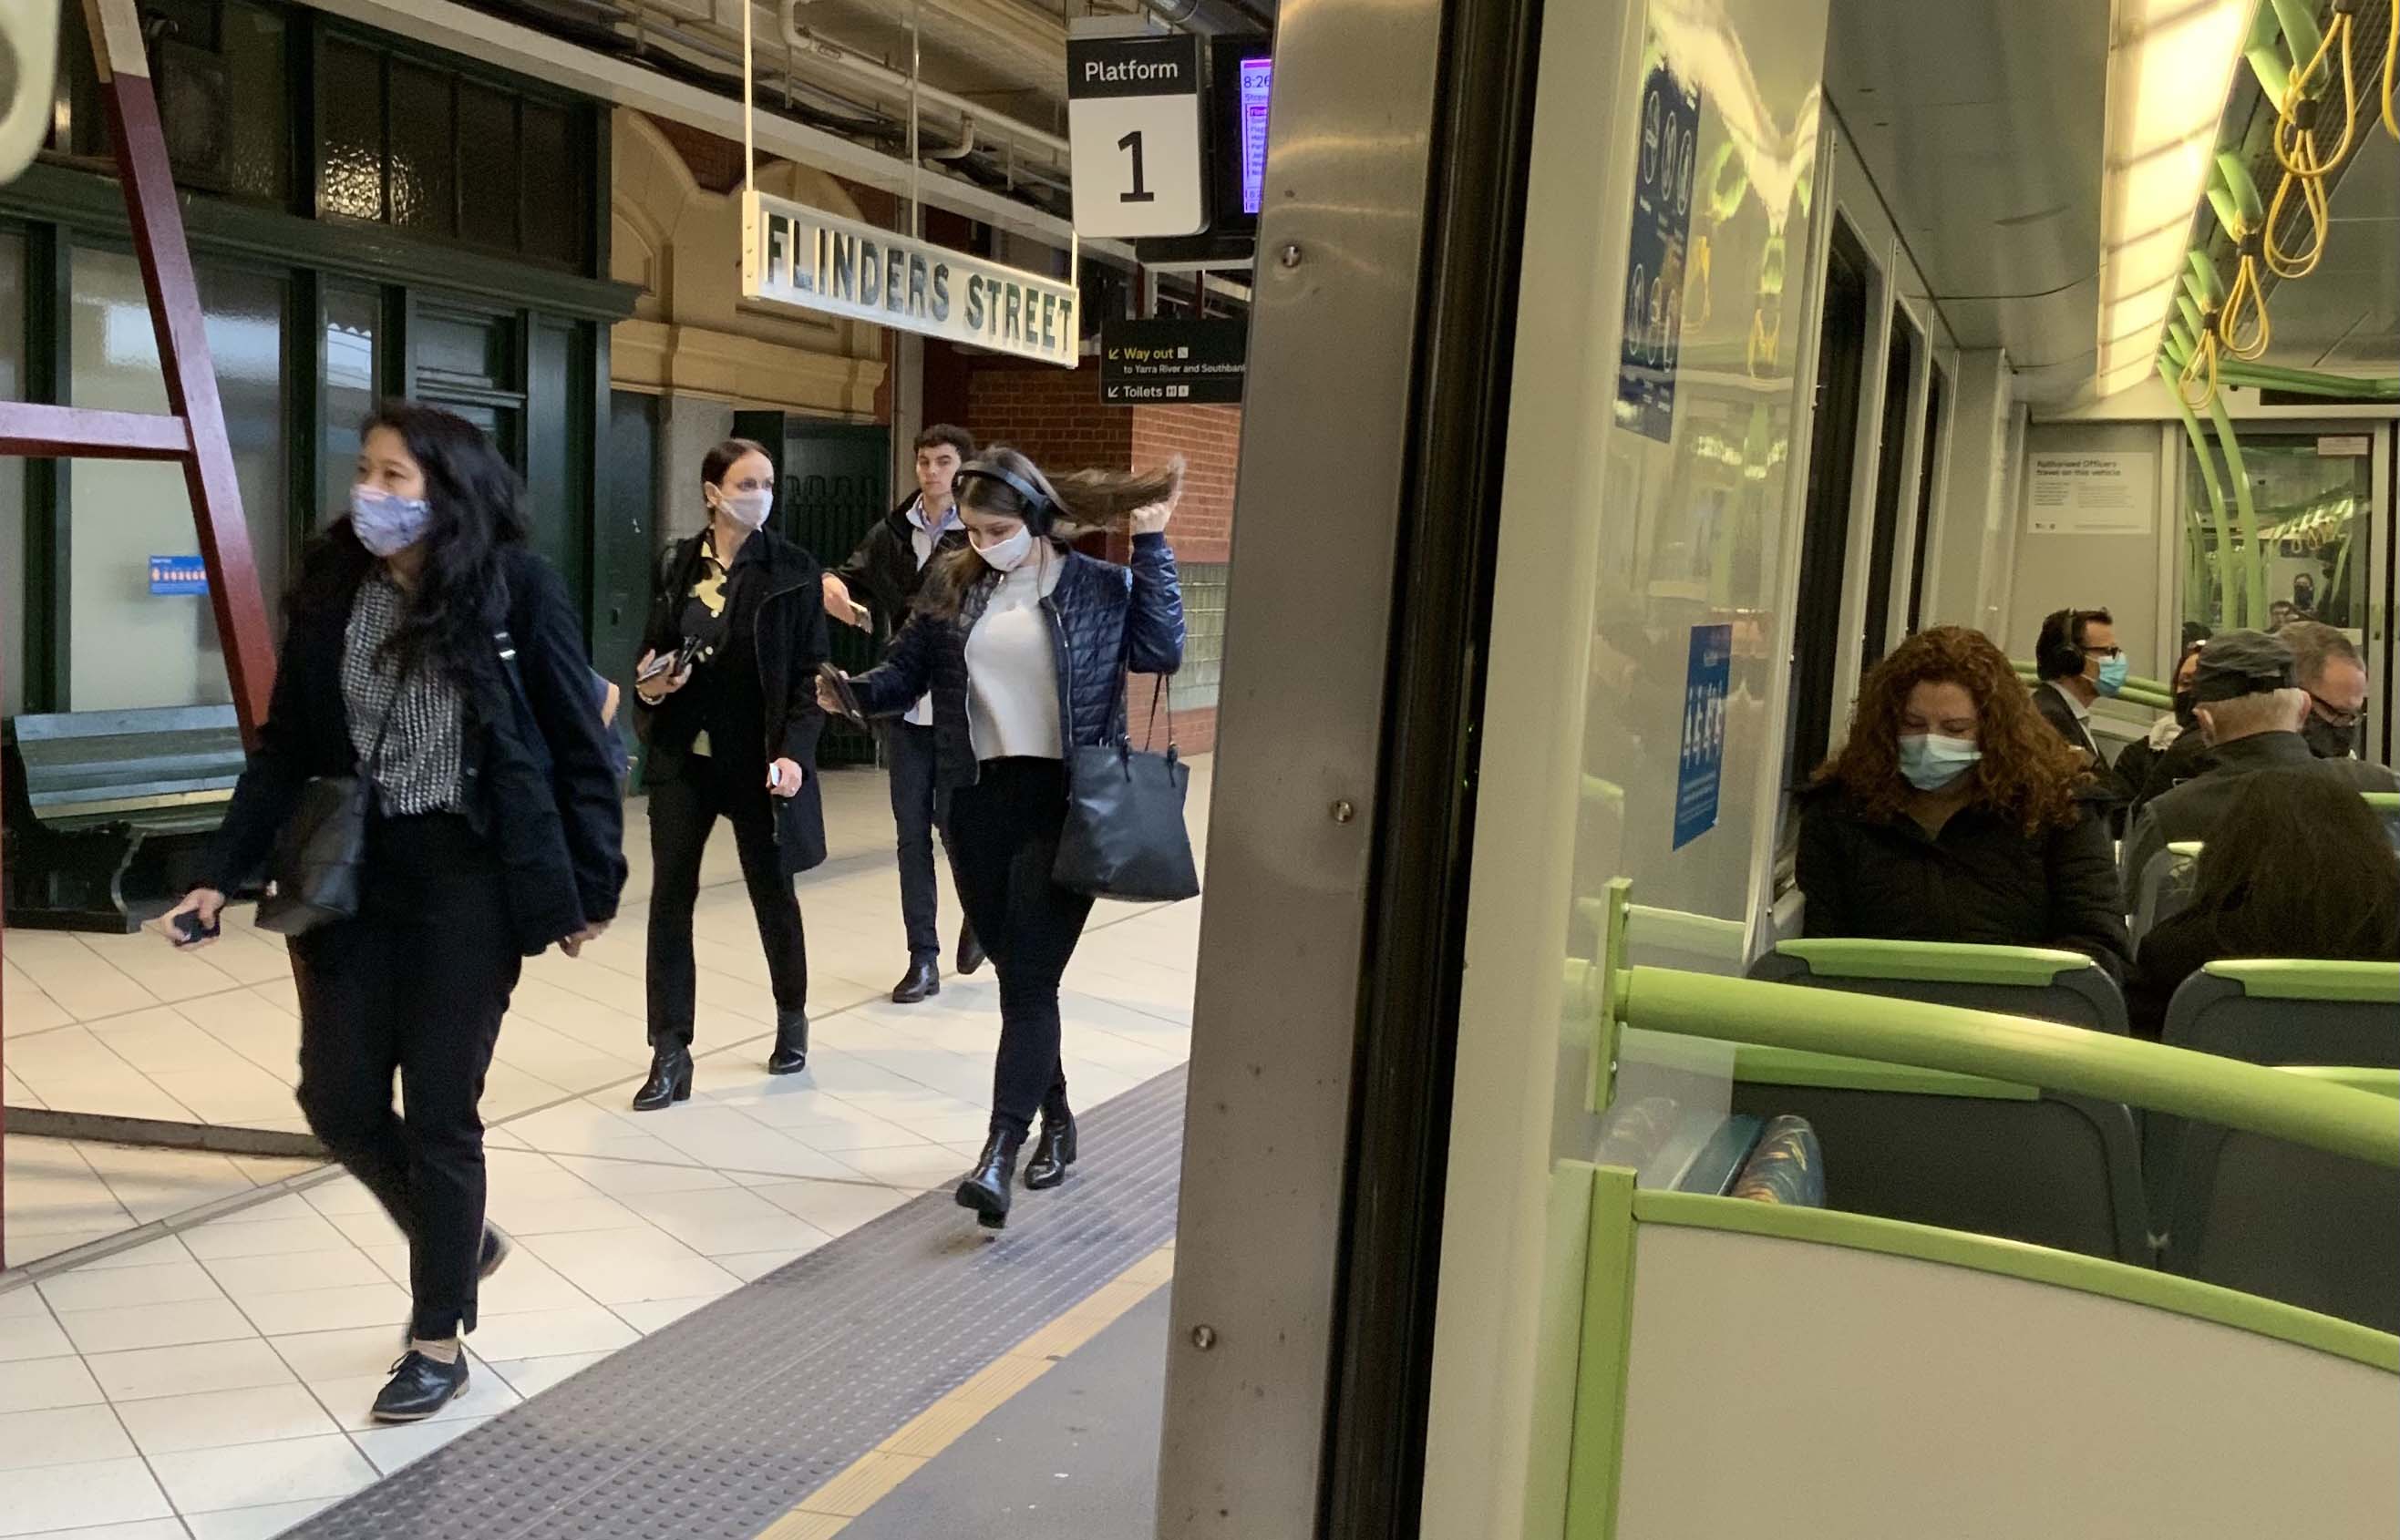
(1105,620)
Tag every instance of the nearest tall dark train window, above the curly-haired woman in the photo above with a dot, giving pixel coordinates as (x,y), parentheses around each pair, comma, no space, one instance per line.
(1842,356)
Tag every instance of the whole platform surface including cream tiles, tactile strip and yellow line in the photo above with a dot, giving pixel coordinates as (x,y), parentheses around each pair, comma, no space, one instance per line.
(203,1366)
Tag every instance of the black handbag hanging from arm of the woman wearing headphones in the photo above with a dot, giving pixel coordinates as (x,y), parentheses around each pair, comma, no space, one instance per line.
(1124,814)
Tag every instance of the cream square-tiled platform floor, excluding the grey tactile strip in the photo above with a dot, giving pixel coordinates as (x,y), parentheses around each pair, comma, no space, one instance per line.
(212,1383)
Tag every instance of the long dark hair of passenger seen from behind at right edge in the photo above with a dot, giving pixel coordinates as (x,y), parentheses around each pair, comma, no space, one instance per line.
(2300,867)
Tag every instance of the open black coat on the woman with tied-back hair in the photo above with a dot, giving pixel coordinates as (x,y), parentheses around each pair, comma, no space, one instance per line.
(786,598)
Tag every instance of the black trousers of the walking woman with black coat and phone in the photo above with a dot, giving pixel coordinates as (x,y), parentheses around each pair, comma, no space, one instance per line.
(683,814)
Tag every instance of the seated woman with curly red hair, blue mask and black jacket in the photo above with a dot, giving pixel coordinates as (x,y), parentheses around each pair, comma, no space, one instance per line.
(1957,814)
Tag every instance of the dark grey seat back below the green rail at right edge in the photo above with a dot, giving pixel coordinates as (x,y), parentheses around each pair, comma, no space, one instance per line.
(2288,1222)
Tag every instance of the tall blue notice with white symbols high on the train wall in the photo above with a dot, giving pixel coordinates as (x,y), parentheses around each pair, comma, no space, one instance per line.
(1662,236)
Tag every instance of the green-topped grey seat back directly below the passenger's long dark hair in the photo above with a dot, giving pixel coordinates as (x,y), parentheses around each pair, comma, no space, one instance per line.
(2272,1011)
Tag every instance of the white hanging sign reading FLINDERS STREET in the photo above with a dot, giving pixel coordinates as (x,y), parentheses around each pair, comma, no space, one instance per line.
(812,260)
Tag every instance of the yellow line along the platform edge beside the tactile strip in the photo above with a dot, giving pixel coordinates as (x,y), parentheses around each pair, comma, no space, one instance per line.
(875,1474)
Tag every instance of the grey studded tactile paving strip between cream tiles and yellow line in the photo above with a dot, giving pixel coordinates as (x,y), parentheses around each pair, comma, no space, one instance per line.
(726,1419)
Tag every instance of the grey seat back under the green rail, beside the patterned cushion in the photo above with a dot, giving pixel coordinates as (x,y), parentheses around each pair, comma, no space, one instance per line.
(1962,1153)
